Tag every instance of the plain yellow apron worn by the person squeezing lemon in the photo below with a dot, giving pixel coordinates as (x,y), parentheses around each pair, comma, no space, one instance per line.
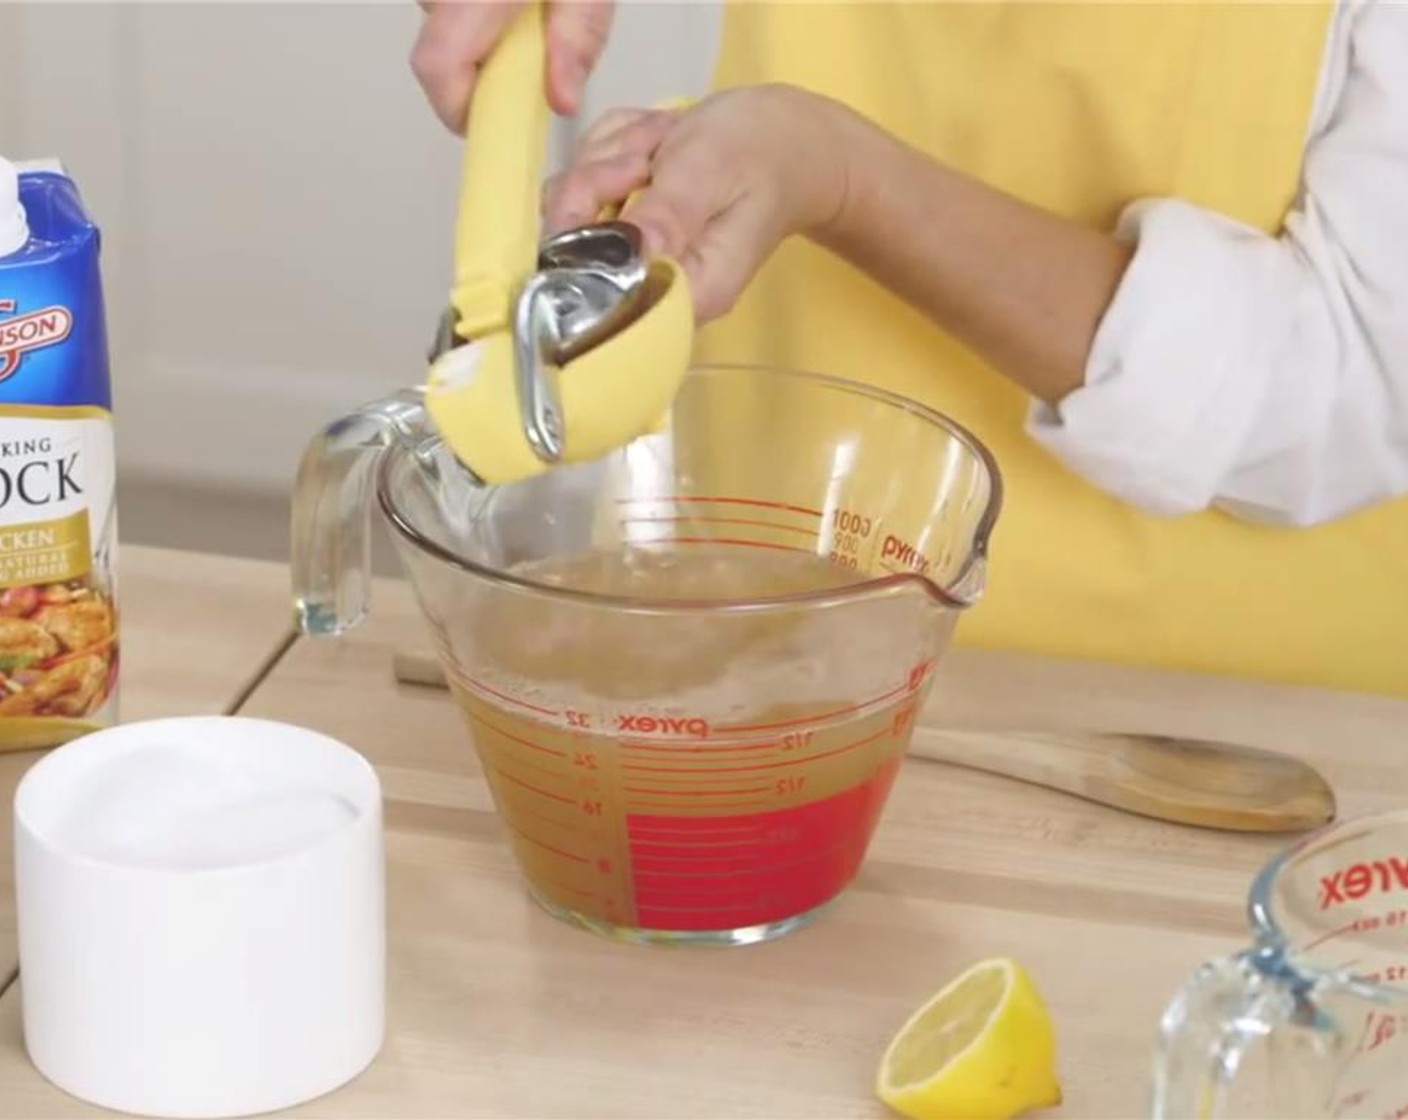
(1082,109)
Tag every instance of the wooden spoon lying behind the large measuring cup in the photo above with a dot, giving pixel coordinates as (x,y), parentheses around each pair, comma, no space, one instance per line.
(1200,783)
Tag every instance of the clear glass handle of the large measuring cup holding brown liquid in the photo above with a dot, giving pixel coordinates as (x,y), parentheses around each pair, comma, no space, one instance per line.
(330,523)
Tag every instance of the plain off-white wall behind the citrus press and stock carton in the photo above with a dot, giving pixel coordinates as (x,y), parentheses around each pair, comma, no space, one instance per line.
(277,202)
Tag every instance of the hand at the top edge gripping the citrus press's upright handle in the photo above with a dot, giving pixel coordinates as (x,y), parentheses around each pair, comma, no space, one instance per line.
(457,37)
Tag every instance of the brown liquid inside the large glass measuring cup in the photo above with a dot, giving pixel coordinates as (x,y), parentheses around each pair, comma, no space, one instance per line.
(692,771)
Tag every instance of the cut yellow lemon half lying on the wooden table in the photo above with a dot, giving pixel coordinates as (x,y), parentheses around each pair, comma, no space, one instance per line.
(983,1049)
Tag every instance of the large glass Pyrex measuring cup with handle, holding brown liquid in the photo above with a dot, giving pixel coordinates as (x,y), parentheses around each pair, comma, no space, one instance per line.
(691,670)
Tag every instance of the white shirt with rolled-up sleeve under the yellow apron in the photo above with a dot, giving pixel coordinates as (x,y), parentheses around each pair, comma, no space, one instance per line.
(1266,375)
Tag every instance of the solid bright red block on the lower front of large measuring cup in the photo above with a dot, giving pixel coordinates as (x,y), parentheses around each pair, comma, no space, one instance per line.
(768,885)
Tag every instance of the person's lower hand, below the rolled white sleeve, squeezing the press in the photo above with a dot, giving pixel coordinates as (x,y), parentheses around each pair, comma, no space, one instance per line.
(720,185)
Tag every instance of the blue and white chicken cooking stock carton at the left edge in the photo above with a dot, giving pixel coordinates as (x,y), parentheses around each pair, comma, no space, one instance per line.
(58,512)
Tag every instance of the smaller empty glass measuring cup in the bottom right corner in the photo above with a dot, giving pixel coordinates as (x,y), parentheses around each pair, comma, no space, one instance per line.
(1313,1021)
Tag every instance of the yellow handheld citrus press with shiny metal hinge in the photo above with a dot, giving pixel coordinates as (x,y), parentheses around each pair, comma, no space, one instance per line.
(551,351)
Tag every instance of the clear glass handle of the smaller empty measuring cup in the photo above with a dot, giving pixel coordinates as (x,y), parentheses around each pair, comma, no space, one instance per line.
(1223,1012)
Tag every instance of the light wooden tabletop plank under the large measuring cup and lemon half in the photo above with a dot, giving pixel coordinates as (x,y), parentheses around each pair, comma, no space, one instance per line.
(498,1011)
